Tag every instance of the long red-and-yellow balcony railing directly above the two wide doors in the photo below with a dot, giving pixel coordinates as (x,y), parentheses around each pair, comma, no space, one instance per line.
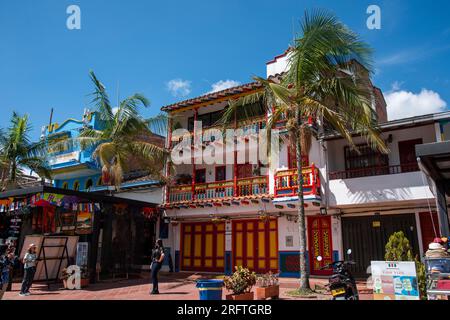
(219,189)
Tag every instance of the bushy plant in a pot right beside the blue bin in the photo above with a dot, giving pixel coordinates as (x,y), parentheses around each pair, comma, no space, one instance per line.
(240,284)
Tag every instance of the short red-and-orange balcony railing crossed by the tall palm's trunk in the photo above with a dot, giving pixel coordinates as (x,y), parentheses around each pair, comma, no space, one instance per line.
(286,182)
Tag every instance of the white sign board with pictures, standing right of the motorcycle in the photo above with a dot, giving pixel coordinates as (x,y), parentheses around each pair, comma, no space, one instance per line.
(394,280)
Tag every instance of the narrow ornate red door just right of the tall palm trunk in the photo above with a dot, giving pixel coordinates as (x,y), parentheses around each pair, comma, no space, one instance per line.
(320,244)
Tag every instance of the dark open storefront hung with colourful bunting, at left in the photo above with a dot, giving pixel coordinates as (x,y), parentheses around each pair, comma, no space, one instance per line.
(114,230)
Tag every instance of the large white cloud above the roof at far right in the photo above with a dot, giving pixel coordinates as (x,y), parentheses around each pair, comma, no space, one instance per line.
(404,104)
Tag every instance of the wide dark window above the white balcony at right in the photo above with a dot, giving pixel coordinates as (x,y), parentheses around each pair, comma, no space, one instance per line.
(367,162)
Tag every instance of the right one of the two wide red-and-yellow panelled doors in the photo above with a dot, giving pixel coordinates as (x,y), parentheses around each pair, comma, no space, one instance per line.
(255,245)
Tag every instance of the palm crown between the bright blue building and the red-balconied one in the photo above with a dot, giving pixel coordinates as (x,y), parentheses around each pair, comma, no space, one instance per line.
(123,137)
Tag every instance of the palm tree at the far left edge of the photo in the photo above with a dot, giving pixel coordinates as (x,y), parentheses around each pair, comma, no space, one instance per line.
(17,152)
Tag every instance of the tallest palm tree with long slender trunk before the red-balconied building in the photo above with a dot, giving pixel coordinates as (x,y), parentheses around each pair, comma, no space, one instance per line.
(327,79)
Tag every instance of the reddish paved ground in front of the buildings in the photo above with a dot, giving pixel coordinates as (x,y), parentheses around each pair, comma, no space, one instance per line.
(173,286)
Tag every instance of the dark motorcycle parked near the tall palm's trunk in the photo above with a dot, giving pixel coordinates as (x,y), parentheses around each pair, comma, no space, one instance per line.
(341,283)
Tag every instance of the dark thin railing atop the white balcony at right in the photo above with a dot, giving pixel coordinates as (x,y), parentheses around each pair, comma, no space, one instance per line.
(374,171)
